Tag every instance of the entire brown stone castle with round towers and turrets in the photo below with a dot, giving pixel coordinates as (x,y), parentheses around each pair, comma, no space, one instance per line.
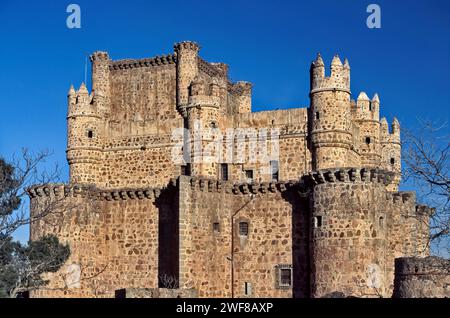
(322,217)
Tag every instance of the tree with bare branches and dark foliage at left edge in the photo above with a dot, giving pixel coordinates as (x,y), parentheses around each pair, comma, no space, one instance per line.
(20,269)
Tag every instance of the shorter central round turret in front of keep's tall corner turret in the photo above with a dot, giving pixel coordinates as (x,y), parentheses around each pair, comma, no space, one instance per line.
(202,114)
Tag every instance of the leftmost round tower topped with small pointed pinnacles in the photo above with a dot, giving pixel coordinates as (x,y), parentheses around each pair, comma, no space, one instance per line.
(84,130)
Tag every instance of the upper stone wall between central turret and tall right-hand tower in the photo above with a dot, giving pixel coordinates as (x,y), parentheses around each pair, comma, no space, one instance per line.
(289,148)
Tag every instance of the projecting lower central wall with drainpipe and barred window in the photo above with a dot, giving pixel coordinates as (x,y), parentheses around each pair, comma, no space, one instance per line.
(277,235)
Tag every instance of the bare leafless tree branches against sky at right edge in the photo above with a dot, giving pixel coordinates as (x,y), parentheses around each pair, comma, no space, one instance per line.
(426,167)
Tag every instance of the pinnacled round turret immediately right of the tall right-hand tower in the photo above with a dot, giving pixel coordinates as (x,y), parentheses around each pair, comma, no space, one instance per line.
(367,116)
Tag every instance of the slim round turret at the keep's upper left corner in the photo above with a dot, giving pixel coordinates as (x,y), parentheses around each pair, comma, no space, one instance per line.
(100,82)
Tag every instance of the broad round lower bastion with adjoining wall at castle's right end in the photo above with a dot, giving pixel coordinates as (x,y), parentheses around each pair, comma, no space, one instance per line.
(358,229)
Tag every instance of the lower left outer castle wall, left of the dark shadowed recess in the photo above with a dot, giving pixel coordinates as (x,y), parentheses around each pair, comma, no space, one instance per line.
(113,237)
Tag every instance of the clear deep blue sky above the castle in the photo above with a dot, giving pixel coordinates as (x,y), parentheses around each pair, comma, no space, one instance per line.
(270,43)
